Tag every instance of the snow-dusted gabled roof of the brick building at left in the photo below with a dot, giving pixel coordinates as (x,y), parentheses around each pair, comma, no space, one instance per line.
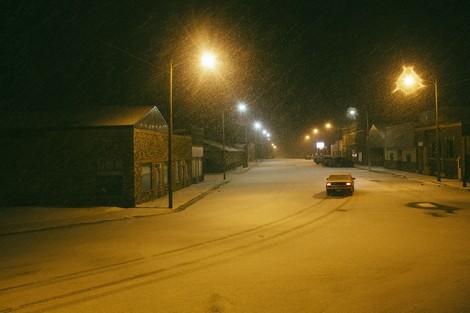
(148,117)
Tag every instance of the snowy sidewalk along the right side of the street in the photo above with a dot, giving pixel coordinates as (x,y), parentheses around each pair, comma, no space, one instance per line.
(445,182)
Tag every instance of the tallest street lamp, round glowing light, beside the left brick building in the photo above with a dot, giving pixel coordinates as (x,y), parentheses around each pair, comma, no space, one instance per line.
(208,60)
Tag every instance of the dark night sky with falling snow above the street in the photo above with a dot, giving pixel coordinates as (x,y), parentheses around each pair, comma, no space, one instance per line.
(297,64)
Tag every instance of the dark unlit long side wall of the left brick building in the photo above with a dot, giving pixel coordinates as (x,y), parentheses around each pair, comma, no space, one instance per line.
(63,167)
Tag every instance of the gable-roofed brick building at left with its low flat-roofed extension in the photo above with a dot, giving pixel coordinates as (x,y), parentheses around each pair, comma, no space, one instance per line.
(89,156)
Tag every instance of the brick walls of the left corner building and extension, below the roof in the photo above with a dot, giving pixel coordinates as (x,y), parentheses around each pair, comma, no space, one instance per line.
(87,167)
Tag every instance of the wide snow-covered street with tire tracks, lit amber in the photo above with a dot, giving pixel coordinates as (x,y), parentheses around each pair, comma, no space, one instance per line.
(268,241)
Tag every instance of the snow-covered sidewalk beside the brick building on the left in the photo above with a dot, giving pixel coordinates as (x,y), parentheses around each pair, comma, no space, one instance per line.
(16,220)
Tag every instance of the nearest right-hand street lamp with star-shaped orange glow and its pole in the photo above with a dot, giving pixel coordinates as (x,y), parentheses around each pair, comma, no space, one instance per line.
(409,82)
